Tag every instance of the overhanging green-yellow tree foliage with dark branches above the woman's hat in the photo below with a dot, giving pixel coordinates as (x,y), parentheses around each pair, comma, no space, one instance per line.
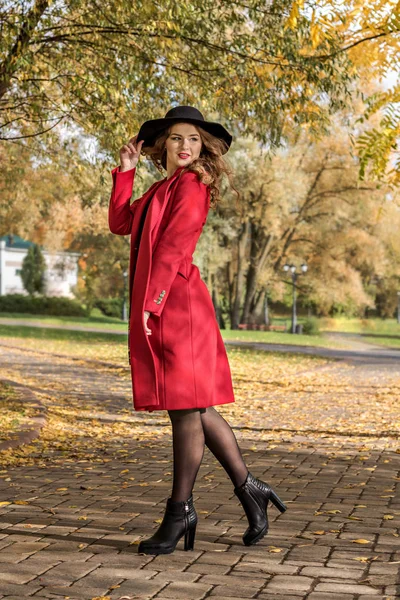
(109,66)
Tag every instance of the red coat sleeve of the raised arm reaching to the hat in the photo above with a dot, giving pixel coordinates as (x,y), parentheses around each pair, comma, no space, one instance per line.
(120,212)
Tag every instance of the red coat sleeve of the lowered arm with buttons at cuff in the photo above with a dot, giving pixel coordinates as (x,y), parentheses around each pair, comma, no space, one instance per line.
(188,215)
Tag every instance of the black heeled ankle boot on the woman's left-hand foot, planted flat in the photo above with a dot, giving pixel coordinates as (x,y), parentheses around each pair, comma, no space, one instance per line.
(179,518)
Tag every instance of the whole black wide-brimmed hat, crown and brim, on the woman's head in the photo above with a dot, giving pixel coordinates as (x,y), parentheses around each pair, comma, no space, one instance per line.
(150,130)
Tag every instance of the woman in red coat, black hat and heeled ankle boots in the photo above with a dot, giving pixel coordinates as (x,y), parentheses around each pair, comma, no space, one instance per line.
(177,355)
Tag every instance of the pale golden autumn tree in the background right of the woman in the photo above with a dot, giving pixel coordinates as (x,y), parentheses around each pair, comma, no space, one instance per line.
(305,203)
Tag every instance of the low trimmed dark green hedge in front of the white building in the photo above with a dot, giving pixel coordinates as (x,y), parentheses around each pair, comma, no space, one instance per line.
(43,305)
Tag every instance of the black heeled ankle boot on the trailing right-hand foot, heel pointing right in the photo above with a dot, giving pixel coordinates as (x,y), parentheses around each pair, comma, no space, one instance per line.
(254,496)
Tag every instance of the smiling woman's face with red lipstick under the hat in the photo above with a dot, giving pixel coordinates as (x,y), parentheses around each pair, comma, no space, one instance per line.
(183,146)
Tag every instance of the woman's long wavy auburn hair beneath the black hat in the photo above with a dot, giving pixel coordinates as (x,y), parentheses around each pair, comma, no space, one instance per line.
(210,166)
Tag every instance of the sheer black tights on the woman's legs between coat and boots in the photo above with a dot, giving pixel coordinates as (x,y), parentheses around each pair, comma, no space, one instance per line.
(191,429)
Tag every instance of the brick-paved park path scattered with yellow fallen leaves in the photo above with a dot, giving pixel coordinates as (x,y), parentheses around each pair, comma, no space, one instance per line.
(72,514)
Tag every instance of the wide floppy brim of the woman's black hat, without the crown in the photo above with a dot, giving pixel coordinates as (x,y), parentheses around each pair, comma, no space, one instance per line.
(150,130)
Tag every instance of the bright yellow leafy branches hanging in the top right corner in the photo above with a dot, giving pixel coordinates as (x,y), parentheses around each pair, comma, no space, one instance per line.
(369,31)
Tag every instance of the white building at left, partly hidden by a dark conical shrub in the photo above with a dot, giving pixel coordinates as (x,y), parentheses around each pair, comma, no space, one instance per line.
(60,275)
